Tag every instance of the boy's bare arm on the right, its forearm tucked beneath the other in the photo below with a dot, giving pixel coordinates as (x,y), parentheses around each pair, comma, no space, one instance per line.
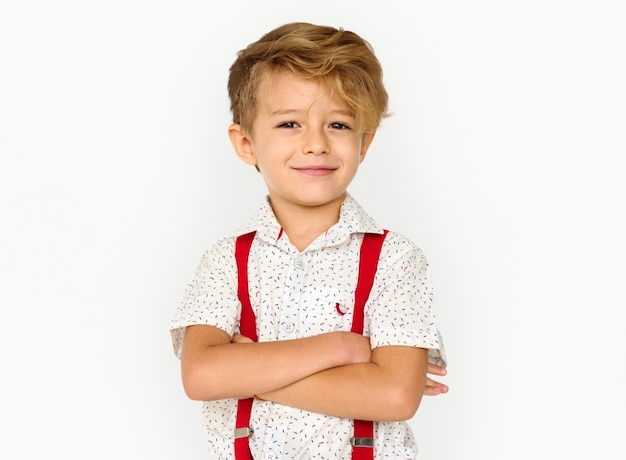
(389,388)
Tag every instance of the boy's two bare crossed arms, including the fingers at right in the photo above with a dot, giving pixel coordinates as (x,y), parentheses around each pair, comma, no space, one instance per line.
(334,373)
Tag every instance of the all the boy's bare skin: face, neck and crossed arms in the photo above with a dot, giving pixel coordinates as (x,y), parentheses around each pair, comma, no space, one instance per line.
(304,145)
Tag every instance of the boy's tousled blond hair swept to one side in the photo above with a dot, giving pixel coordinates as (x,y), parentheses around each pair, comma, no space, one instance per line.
(340,60)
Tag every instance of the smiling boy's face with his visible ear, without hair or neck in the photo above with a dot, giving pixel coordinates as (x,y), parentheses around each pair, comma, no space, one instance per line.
(303,142)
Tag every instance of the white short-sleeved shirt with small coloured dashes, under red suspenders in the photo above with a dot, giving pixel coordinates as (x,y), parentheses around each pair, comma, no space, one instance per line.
(299,294)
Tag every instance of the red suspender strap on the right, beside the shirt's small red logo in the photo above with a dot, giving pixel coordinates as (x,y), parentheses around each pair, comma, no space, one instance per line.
(363,440)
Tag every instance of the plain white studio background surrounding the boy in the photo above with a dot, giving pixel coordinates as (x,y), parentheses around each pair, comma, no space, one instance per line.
(503,161)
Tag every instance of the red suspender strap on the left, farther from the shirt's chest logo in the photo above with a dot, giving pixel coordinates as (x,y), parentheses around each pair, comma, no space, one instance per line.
(247,327)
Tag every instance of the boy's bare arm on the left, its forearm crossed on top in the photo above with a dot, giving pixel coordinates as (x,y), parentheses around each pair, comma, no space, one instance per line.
(214,368)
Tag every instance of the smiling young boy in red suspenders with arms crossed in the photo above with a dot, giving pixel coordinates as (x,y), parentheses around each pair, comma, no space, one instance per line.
(306,101)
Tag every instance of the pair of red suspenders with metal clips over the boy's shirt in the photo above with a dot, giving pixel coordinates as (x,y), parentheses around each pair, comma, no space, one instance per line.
(363,440)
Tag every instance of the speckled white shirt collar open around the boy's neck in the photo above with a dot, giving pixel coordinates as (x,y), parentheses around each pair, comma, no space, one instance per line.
(352,219)
